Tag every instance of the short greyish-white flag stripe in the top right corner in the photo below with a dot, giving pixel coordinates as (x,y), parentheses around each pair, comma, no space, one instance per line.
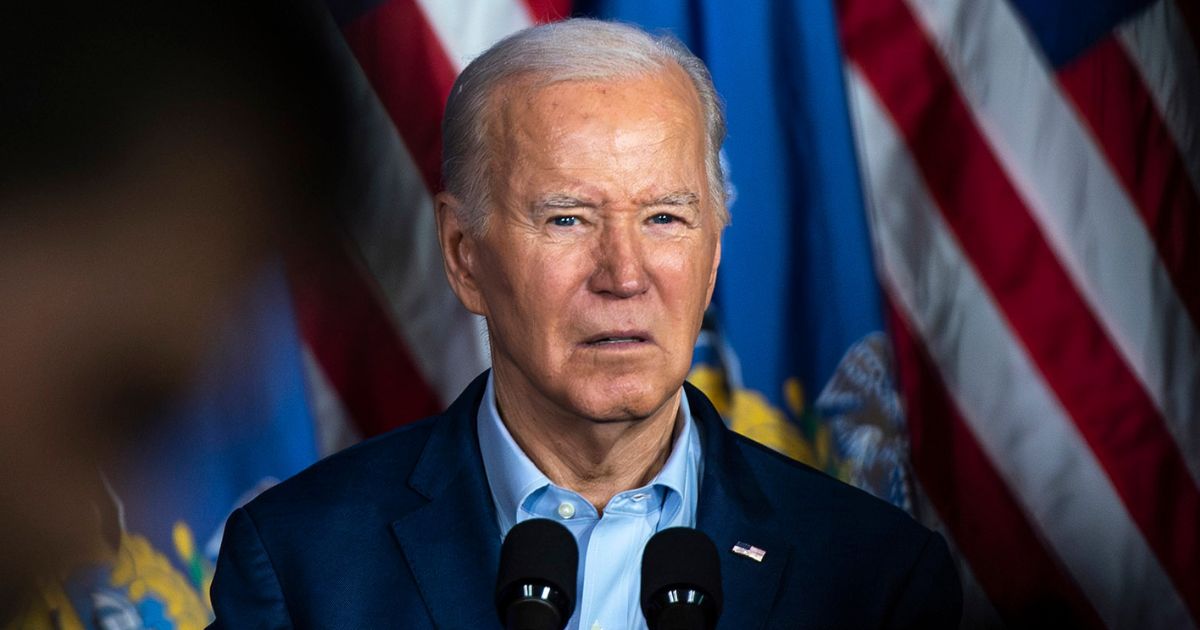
(1160,46)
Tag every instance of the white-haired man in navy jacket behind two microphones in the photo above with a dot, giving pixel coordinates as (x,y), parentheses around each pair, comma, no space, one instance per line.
(583,219)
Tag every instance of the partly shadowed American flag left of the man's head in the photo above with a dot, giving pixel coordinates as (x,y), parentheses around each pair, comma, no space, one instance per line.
(386,340)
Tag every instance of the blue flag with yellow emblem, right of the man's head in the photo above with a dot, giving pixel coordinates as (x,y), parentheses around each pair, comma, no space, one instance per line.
(794,352)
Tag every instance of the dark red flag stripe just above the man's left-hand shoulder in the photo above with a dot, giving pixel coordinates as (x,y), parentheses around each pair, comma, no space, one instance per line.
(340,317)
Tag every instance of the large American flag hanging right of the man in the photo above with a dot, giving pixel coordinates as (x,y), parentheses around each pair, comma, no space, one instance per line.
(1033,173)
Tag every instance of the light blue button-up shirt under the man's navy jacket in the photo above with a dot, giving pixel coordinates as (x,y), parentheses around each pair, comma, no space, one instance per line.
(611,545)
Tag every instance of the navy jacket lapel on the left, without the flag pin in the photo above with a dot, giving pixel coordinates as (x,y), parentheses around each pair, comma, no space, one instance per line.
(453,543)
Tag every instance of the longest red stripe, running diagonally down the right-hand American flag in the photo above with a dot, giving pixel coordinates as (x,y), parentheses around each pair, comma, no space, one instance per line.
(1071,349)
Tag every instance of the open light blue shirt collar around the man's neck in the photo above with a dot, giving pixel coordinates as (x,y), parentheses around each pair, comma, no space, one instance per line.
(513,477)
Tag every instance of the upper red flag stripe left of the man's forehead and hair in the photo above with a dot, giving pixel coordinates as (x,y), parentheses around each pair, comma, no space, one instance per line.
(412,75)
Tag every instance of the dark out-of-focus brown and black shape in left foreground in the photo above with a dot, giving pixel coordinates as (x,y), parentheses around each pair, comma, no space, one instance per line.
(153,158)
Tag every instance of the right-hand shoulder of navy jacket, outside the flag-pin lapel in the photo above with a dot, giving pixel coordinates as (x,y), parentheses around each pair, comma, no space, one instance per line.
(854,561)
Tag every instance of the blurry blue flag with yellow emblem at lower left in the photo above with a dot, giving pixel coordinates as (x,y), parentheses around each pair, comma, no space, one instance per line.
(245,427)
